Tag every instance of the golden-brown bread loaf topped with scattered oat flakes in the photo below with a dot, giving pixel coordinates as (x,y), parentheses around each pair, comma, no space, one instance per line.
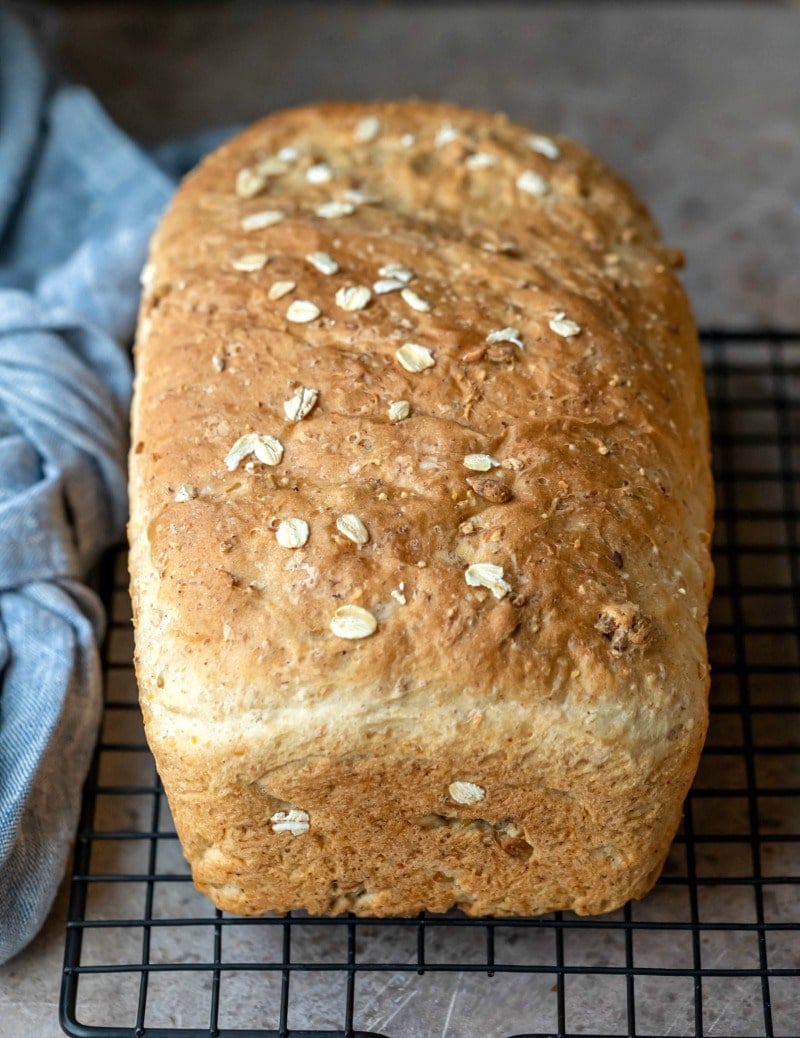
(421,521)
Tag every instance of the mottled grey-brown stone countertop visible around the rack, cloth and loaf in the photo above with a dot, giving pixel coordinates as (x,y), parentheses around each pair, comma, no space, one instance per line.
(698,105)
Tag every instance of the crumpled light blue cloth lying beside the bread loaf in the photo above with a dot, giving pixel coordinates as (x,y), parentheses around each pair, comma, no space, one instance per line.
(78,203)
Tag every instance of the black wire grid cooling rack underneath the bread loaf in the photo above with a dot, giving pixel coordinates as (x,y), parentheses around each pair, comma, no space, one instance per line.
(715,948)
